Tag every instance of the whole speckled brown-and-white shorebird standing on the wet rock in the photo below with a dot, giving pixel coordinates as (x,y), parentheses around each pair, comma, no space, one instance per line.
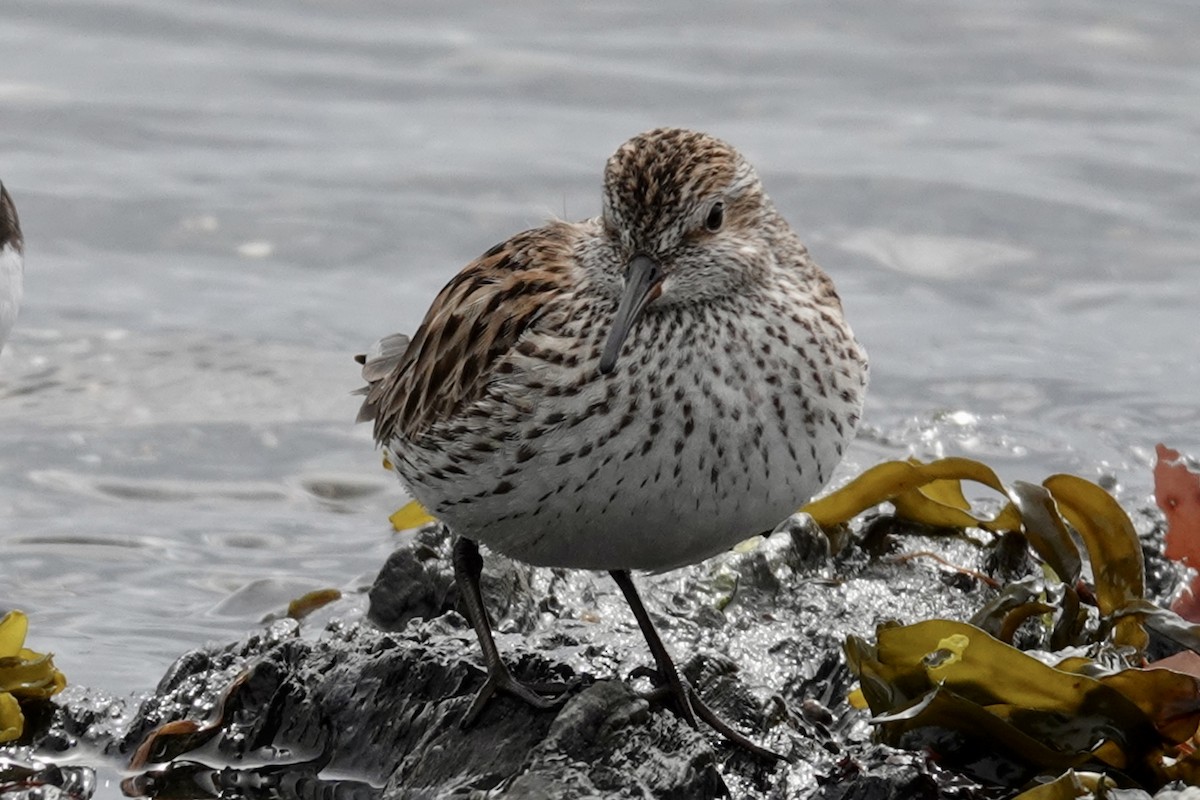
(637,392)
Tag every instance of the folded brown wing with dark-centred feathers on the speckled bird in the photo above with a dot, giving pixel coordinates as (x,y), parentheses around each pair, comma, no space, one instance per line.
(475,322)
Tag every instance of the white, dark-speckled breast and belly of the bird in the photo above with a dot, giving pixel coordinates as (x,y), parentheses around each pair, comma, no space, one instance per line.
(709,431)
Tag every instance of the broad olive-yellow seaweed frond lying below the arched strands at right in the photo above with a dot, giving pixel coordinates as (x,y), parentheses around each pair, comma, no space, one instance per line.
(951,675)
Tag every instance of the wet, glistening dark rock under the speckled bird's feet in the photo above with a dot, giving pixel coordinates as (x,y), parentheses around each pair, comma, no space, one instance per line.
(364,700)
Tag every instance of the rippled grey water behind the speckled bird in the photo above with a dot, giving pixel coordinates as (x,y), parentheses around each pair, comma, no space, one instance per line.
(224,202)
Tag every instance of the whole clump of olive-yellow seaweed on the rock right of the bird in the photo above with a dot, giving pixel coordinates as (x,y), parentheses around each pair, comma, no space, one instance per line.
(1082,713)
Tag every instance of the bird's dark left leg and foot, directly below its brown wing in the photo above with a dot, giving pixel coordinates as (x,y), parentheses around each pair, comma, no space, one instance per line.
(469,564)
